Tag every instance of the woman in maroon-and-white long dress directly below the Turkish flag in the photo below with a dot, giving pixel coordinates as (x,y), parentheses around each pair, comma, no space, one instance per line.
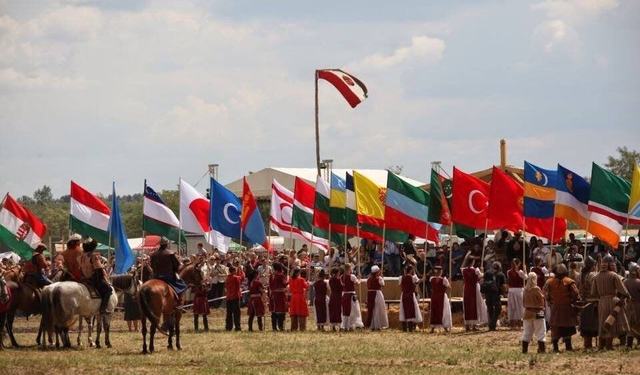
(475,309)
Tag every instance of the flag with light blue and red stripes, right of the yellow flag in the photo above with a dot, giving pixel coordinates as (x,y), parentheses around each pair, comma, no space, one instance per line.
(407,209)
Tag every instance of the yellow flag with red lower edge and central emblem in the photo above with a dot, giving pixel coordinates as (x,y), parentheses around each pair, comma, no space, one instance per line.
(370,200)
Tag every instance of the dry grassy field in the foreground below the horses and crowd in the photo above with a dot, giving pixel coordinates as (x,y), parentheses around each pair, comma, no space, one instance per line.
(311,352)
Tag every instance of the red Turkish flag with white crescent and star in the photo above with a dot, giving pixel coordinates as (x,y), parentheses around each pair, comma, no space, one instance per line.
(470,200)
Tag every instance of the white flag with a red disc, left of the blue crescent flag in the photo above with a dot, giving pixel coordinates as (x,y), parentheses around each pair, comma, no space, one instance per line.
(194,217)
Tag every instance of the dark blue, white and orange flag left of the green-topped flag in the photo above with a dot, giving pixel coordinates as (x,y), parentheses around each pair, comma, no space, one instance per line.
(572,198)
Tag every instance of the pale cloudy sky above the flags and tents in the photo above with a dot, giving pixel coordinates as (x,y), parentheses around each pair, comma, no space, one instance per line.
(104,90)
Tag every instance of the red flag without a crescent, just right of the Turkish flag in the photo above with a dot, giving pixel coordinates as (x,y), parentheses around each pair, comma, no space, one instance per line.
(505,201)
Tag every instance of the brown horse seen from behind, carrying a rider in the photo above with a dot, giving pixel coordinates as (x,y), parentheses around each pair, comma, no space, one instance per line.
(157,298)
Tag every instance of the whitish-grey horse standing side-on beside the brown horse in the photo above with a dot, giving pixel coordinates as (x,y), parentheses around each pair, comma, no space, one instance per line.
(63,302)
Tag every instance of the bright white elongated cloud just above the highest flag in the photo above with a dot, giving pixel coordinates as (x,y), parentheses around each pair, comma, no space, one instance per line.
(422,50)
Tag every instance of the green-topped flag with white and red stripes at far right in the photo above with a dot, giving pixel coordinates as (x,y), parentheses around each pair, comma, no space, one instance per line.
(609,195)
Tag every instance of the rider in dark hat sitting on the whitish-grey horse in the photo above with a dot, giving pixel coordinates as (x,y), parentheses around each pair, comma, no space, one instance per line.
(93,272)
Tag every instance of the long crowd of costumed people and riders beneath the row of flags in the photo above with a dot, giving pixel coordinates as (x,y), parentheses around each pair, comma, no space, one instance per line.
(563,289)
